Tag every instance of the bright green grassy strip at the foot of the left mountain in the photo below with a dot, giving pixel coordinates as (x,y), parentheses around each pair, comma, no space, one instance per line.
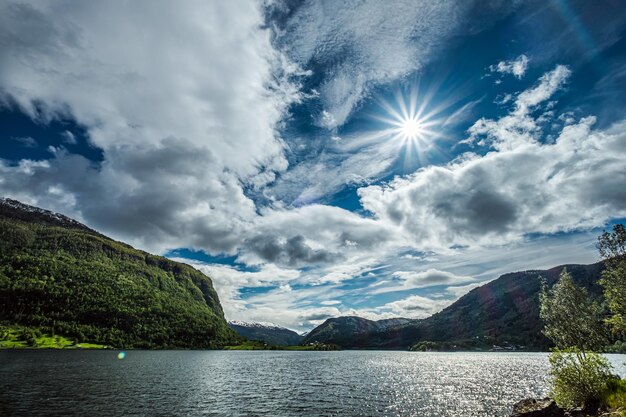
(19,337)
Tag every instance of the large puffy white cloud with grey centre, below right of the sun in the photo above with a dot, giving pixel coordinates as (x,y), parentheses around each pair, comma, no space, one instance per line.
(523,186)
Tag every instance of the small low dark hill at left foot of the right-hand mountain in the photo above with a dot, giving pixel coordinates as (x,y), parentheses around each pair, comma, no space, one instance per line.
(351,331)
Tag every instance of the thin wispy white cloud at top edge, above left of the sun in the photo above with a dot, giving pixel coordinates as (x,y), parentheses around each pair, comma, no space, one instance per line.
(358,44)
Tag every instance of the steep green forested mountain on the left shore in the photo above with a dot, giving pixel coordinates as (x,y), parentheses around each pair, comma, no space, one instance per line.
(61,277)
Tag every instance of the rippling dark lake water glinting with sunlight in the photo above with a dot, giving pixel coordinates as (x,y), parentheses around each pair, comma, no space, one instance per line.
(269,383)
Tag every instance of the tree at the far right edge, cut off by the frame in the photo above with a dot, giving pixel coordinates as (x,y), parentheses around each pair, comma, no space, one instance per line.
(612,247)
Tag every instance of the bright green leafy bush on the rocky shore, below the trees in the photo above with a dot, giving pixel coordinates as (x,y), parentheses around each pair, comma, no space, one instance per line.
(579,378)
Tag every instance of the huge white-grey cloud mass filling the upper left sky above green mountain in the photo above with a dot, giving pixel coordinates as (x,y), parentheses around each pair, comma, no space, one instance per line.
(185,116)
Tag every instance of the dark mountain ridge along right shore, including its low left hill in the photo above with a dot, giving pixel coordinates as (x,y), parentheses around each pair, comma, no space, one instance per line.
(502,312)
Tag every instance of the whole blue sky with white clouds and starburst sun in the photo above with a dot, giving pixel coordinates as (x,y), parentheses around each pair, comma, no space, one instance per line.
(323,158)
